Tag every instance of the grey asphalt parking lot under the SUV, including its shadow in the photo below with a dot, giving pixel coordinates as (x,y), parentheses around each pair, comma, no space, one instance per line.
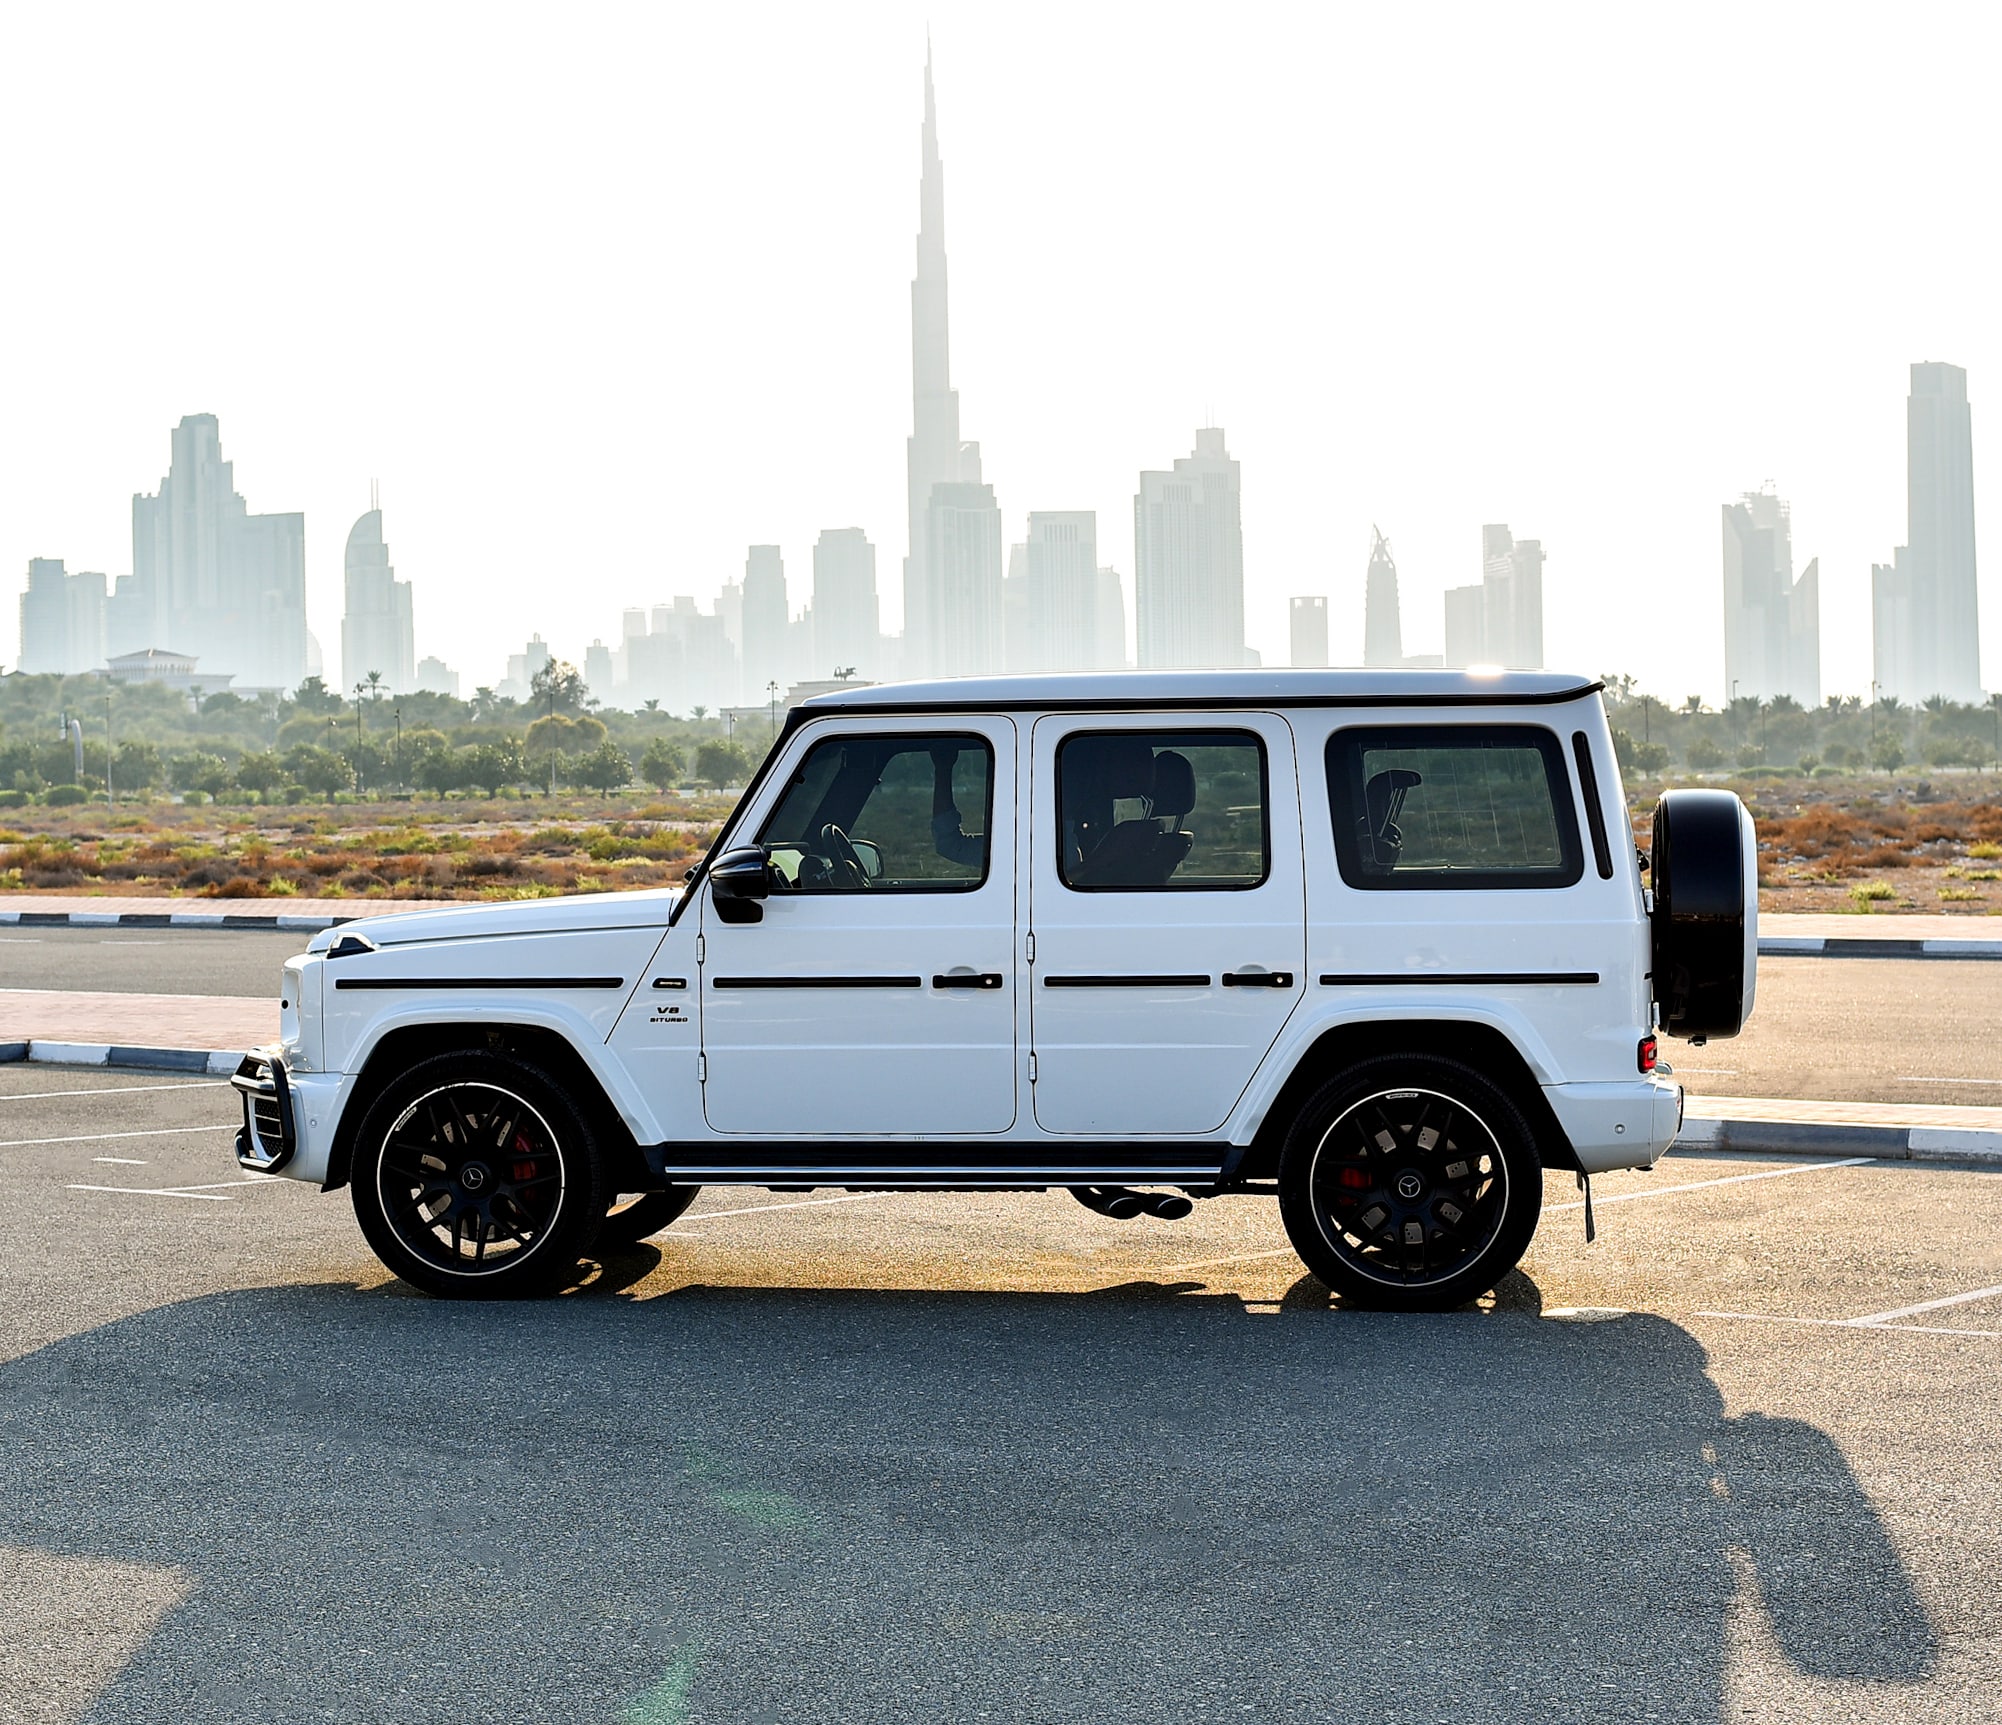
(848,1458)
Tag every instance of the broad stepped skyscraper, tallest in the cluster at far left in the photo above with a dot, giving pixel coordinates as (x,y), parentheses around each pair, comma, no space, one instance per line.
(209,577)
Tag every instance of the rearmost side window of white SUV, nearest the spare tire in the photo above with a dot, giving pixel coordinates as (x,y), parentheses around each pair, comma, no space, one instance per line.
(1452,807)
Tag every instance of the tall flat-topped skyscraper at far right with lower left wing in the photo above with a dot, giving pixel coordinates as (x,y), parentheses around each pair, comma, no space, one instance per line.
(1925,607)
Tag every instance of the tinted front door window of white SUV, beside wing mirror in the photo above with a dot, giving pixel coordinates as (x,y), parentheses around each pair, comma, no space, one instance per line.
(884,813)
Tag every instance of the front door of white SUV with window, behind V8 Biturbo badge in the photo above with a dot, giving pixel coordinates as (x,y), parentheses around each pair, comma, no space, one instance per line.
(876,996)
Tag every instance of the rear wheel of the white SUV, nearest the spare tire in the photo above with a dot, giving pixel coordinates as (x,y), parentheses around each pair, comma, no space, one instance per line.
(1386,1218)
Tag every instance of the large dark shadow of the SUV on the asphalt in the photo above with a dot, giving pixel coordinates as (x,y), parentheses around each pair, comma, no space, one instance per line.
(760,1506)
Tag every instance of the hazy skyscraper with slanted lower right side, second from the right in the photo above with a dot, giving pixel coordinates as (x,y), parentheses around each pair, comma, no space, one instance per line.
(1773,623)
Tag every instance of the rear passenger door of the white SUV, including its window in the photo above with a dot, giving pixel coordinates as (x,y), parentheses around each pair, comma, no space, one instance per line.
(1168,916)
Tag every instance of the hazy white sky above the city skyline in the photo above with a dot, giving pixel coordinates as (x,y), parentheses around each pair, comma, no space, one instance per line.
(604,295)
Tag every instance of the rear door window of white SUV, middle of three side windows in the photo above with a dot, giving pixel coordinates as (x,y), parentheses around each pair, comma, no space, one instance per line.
(1162,811)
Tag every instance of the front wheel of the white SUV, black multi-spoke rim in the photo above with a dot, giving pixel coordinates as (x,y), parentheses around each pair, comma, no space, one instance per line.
(463,1218)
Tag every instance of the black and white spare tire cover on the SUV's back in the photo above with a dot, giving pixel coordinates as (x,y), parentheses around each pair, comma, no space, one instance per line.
(1705,914)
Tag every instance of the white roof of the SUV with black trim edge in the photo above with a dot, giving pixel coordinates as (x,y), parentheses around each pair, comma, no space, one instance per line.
(1088,689)
